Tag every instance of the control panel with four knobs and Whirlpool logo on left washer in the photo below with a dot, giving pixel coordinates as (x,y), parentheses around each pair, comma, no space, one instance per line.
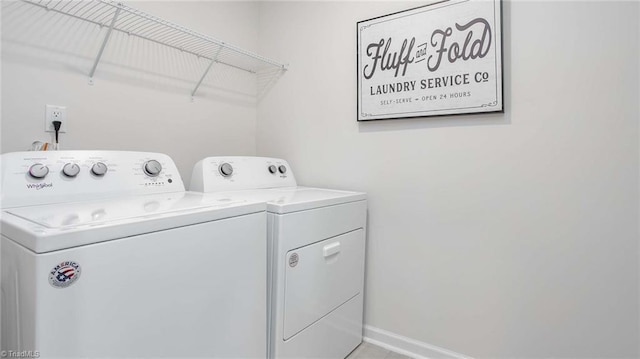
(42,177)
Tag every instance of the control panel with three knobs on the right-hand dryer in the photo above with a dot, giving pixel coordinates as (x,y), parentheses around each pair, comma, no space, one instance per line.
(214,174)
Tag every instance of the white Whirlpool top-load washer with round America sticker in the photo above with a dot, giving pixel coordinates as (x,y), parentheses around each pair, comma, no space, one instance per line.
(105,255)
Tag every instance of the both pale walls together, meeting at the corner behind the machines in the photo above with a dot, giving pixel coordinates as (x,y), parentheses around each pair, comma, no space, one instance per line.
(502,235)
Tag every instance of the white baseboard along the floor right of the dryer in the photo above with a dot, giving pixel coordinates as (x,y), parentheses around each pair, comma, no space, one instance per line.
(407,346)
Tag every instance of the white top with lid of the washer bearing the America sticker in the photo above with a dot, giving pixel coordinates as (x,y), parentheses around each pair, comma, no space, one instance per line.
(58,226)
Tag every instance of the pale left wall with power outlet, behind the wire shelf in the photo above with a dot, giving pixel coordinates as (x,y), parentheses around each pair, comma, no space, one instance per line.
(128,110)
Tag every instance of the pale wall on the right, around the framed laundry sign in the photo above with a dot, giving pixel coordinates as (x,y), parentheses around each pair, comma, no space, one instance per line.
(496,235)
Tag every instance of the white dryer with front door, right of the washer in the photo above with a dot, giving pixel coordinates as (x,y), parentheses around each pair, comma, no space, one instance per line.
(316,254)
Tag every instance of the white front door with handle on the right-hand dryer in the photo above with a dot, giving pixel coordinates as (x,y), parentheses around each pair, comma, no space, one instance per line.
(321,277)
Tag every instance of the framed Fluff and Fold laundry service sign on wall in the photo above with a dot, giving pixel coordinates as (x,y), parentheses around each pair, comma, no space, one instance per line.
(441,59)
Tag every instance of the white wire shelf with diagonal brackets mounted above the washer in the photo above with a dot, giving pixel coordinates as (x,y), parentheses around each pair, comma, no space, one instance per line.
(117,17)
